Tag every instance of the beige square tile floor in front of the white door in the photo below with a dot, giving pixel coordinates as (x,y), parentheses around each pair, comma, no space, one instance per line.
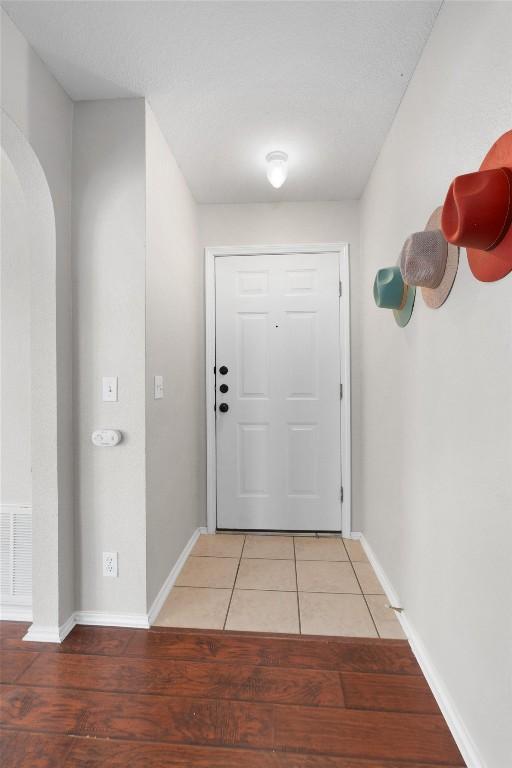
(318,585)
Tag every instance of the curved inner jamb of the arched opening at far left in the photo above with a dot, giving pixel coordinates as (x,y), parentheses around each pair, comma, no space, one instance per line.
(41,240)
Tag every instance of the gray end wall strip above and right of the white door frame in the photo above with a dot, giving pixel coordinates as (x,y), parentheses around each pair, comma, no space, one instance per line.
(288,223)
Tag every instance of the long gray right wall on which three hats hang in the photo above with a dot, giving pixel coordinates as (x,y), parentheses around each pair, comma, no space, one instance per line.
(437,399)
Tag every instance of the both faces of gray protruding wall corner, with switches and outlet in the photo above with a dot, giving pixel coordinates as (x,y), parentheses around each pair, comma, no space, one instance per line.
(138,287)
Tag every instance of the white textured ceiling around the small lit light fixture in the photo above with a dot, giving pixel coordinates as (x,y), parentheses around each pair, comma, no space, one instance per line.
(229,81)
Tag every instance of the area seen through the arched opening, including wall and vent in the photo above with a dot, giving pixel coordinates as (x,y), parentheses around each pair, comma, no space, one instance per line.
(15,391)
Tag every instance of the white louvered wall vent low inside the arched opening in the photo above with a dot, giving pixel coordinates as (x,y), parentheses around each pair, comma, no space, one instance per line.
(16,554)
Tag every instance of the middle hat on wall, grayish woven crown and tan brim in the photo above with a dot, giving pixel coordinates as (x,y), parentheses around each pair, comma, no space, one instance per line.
(429,262)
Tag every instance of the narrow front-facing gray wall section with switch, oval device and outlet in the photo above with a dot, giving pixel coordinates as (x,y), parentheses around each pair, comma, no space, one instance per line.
(109,223)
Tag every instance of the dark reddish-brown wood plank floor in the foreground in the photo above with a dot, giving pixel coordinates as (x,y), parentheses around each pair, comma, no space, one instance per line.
(164,698)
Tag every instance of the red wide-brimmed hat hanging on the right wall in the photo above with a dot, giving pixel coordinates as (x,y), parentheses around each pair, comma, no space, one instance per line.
(477,213)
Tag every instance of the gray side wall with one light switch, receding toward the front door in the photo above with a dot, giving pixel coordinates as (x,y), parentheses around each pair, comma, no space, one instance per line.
(175,431)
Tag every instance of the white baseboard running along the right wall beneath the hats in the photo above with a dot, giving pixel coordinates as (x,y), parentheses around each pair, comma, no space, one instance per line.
(453,719)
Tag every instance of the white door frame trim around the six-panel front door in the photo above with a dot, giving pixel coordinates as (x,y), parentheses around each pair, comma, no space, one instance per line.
(211,452)
